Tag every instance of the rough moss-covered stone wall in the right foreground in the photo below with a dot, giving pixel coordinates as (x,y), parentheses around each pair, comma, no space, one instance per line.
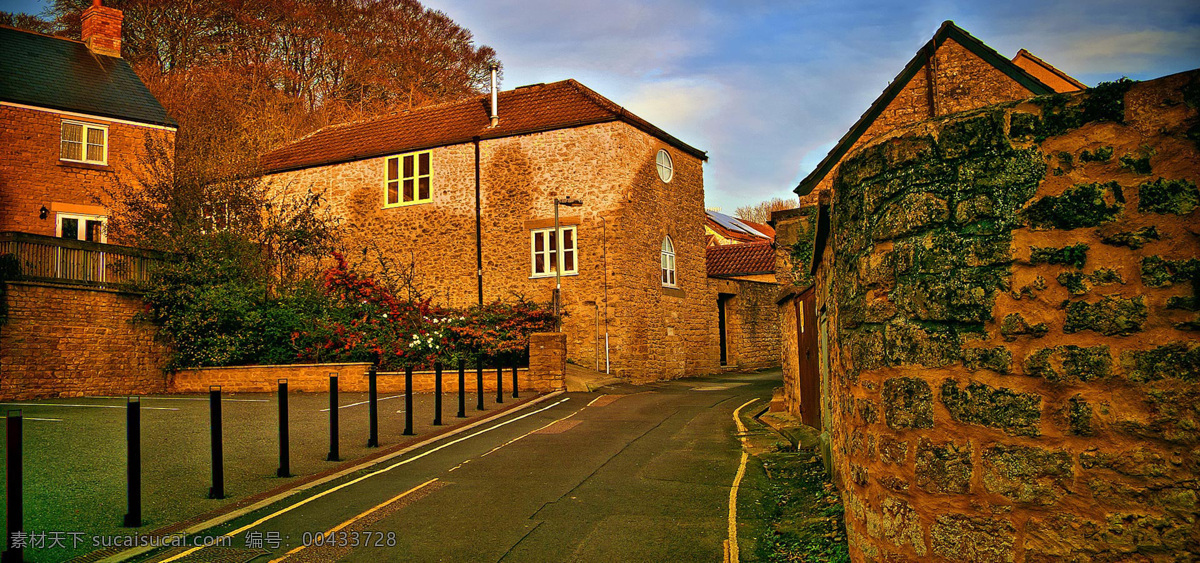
(1013,294)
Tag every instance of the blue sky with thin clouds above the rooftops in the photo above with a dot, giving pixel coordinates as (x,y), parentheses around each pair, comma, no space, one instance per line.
(769,87)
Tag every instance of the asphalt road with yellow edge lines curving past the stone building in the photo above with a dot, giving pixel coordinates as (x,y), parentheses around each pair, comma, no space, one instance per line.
(627,474)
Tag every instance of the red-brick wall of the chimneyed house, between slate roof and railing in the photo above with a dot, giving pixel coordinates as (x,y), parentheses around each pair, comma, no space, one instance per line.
(32,176)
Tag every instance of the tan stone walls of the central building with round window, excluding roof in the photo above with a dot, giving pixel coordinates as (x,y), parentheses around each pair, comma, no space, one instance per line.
(627,211)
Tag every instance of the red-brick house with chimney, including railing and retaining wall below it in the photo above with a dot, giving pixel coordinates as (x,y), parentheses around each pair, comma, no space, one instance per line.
(75,121)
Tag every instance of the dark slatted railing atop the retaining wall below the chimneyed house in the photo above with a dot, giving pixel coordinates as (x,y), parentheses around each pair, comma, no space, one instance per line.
(75,262)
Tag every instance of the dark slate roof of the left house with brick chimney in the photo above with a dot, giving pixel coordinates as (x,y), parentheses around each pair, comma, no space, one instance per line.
(59,74)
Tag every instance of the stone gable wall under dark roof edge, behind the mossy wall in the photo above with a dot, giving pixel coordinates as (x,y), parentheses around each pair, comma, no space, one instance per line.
(962,82)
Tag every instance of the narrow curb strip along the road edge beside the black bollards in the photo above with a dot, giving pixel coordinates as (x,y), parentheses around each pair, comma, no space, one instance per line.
(255,502)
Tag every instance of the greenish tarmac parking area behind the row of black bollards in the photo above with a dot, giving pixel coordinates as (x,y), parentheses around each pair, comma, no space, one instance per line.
(75,457)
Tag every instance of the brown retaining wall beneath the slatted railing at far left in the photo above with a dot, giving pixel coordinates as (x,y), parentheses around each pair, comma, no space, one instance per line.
(68,343)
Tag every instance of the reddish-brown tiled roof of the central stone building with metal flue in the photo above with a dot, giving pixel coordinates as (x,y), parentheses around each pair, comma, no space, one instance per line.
(527,110)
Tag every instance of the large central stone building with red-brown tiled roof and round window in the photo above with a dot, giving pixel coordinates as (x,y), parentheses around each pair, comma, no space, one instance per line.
(469,203)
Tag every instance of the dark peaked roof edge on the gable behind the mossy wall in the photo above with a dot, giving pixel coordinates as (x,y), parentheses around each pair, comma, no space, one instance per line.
(949,31)
